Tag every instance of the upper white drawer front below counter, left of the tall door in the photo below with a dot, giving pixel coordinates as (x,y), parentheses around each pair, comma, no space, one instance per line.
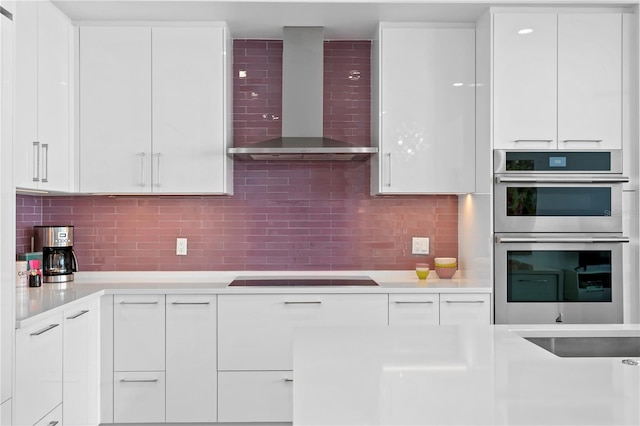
(139,332)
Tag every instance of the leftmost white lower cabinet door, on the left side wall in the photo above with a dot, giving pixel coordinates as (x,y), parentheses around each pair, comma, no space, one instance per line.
(38,370)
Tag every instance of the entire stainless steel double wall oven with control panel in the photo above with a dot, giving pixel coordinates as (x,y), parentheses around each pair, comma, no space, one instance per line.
(558,236)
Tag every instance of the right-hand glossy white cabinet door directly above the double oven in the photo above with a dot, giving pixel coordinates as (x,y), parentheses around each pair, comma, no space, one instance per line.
(590,81)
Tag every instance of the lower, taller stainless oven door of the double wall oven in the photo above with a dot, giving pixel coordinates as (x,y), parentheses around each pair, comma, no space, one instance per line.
(546,278)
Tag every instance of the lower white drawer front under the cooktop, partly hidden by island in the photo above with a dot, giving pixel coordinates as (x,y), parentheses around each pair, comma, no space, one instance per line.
(255,396)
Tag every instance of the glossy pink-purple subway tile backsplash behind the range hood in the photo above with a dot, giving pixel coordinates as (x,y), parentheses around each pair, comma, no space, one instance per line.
(283,215)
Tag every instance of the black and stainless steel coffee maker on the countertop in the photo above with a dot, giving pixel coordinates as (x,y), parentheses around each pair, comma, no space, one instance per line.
(59,261)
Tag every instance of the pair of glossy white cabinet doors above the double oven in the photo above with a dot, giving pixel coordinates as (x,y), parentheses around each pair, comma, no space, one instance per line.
(557,80)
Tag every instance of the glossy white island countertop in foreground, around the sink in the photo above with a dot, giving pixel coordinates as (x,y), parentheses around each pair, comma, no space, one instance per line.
(458,375)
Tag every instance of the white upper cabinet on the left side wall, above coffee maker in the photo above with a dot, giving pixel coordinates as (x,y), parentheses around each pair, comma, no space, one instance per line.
(42,146)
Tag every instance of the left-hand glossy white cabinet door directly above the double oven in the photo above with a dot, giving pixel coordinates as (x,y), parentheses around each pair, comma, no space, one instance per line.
(525,80)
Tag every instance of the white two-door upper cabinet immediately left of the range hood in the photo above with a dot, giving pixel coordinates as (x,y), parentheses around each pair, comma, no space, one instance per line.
(154,107)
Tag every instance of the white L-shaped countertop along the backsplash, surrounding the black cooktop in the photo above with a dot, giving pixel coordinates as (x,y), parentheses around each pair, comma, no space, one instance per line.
(32,303)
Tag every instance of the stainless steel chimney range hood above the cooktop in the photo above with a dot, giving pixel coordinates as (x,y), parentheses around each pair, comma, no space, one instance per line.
(302,91)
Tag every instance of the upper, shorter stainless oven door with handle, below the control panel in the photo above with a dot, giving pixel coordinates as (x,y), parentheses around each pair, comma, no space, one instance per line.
(558,203)
